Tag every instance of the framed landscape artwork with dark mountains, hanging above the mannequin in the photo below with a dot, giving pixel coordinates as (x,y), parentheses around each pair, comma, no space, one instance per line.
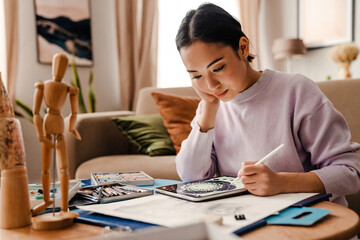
(63,26)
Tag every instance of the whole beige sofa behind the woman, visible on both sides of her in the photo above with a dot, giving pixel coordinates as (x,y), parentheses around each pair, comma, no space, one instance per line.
(104,148)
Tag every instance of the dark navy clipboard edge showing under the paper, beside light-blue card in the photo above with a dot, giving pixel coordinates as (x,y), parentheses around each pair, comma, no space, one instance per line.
(304,203)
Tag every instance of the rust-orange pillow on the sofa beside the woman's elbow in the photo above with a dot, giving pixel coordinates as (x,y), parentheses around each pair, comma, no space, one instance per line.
(177,113)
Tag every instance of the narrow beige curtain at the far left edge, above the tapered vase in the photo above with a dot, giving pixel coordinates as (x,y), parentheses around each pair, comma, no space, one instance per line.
(11,43)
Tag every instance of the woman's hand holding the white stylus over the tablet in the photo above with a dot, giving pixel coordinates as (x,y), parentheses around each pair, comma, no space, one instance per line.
(259,179)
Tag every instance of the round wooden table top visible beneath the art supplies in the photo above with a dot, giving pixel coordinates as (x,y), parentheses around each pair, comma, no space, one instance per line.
(341,223)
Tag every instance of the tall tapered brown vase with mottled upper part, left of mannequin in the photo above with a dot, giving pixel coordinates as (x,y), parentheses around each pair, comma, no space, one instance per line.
(15,209)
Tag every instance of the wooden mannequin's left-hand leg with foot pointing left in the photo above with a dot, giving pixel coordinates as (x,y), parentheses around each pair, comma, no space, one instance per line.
(45,177)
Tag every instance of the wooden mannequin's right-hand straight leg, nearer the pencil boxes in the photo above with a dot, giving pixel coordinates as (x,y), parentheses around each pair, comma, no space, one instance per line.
(64,172)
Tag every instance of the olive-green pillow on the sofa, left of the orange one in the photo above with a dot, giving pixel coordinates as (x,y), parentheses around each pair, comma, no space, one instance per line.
(147,133)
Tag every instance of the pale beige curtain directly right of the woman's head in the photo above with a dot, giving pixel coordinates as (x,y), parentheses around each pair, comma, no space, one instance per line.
(249,19)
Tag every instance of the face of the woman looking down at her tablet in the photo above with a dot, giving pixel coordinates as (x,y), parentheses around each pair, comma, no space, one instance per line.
(216,69)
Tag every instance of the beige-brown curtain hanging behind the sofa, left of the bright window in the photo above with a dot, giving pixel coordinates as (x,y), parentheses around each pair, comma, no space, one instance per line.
(137,40)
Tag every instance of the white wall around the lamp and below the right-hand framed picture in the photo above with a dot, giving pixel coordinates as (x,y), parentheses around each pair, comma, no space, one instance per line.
(278,18)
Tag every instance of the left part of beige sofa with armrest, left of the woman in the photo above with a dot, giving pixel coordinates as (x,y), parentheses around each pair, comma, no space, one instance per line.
(104,148)
